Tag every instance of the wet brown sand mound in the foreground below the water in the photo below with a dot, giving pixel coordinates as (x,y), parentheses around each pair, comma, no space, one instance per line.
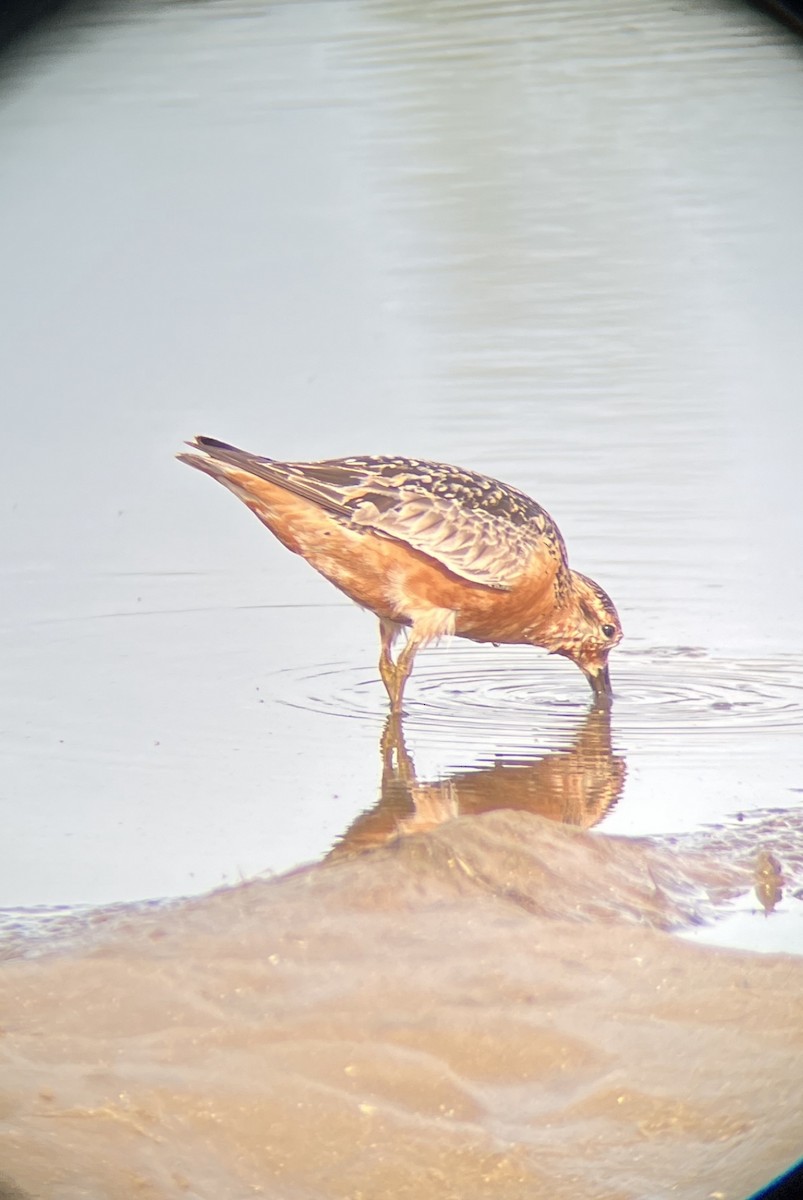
(496,1007)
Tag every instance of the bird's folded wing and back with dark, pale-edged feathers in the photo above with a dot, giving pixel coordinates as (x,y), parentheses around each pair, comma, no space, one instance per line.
(478,529)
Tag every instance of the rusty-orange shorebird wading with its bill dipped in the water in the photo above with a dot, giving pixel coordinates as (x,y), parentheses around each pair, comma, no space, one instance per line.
(433,549)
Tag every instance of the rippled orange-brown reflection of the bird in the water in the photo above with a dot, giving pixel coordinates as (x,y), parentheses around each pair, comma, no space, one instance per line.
(577,787)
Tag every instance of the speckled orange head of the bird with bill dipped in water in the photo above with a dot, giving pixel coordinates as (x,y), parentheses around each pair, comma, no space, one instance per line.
(588,633)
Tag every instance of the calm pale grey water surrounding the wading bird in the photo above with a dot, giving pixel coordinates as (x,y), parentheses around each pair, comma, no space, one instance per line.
(560,244)
